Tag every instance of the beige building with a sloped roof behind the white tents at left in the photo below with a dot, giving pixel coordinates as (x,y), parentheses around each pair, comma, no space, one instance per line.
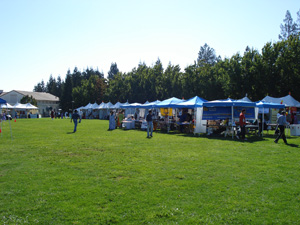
(45,101)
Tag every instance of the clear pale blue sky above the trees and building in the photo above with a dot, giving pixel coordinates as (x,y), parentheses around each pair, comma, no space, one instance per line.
(39,38)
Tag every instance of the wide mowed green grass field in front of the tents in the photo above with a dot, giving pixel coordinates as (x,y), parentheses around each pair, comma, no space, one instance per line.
(49,175)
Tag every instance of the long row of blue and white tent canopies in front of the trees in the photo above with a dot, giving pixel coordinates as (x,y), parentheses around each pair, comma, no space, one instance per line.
(199,103)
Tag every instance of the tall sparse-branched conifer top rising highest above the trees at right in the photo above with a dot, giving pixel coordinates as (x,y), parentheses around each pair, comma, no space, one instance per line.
(288,28)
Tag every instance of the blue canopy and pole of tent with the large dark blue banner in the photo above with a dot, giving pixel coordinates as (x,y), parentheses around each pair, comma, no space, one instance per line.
(229,103)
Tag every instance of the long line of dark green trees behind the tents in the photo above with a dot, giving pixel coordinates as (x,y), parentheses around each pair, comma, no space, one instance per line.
(274,72)
